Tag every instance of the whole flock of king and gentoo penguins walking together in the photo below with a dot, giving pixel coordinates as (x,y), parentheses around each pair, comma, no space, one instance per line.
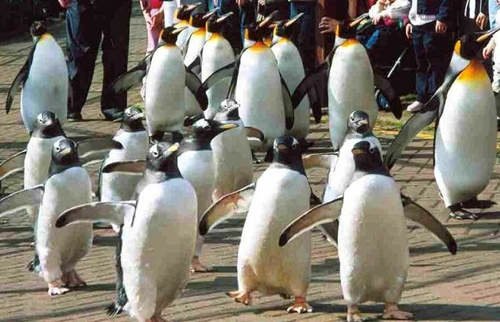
(183,164)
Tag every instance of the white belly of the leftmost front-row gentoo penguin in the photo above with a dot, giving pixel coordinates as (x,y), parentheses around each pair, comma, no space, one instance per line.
(60,249)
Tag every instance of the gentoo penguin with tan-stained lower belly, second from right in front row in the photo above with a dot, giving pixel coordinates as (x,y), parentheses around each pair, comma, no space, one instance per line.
(280,195)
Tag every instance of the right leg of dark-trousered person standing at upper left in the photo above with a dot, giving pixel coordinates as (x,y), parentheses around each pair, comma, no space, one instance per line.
(115,55)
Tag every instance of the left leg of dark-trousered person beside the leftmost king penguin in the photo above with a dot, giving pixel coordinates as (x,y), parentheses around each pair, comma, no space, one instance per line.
(83,37)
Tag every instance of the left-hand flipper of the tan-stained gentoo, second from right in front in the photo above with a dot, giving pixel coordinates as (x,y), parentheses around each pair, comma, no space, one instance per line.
(226,206)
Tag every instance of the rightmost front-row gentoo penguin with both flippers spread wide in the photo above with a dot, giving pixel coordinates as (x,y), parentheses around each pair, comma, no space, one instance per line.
(372,238)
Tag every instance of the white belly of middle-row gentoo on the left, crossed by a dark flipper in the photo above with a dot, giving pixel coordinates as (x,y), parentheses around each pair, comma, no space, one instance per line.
(121,186)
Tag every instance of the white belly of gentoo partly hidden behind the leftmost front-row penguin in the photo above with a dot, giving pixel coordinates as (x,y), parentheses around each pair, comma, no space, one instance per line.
(37,160)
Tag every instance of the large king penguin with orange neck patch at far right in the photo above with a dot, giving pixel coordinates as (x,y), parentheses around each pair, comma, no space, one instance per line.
(465,135)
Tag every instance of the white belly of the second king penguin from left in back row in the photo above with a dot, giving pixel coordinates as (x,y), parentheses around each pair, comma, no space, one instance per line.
(165,105)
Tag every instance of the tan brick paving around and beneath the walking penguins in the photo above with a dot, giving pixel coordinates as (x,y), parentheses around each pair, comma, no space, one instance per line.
(440,287)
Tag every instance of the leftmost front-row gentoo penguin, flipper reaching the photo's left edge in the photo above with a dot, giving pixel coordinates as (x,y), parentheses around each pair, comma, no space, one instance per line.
(58,250)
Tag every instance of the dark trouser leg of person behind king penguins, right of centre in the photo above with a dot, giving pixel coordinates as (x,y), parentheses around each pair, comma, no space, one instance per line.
(305,39)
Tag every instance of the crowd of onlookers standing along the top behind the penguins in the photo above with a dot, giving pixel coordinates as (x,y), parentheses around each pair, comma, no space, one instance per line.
(430,25)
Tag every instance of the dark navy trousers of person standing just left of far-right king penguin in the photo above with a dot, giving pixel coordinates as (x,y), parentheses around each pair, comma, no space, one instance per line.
(432,53)
